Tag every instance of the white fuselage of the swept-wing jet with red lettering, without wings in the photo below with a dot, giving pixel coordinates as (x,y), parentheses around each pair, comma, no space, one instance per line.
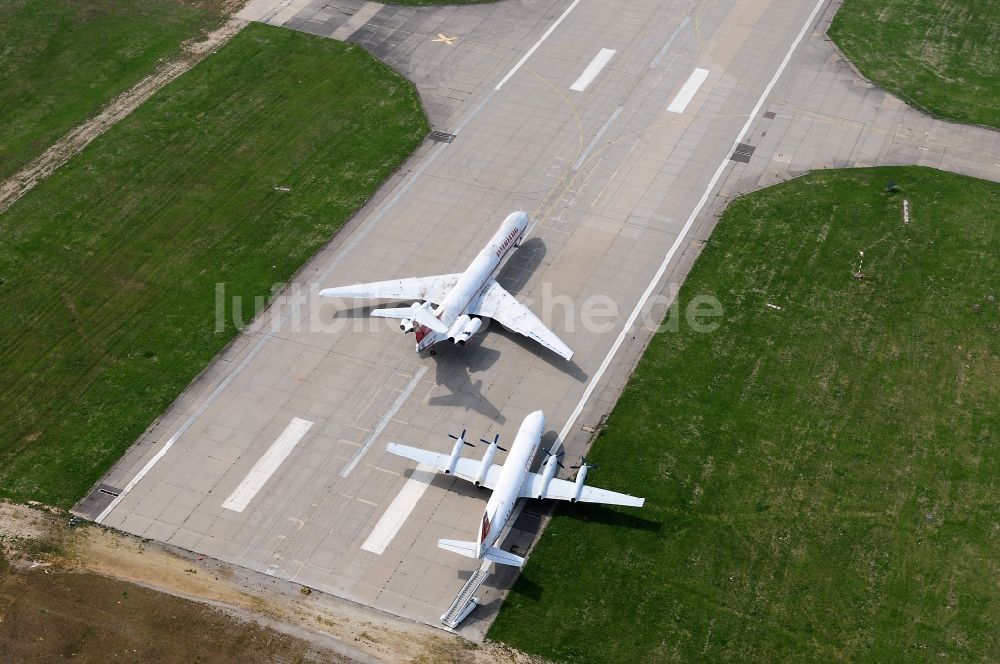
(456,303)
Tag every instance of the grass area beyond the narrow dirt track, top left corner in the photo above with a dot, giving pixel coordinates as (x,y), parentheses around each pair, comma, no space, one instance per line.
(62,61)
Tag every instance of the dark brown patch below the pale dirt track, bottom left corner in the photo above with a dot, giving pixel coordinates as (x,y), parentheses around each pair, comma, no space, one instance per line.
(49,614)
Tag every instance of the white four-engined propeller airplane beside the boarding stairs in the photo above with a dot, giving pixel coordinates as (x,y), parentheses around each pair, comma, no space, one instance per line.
(510,482)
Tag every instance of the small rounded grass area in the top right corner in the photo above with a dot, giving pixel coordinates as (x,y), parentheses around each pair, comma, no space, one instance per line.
(940,55)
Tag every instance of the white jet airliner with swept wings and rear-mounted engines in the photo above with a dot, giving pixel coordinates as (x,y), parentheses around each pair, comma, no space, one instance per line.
(463,301)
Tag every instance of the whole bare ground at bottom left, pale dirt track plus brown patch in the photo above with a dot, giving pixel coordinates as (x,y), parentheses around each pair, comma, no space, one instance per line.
(72,588)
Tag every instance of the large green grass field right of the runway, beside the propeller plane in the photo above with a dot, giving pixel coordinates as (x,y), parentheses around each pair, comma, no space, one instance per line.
(822,479)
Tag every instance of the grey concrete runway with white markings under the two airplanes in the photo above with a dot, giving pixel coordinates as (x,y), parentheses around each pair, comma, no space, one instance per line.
(622,172)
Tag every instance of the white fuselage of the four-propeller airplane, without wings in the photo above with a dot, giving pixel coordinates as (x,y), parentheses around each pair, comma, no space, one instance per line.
(512,476)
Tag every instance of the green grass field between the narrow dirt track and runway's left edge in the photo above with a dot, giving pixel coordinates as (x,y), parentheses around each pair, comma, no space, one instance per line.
(109,267)
